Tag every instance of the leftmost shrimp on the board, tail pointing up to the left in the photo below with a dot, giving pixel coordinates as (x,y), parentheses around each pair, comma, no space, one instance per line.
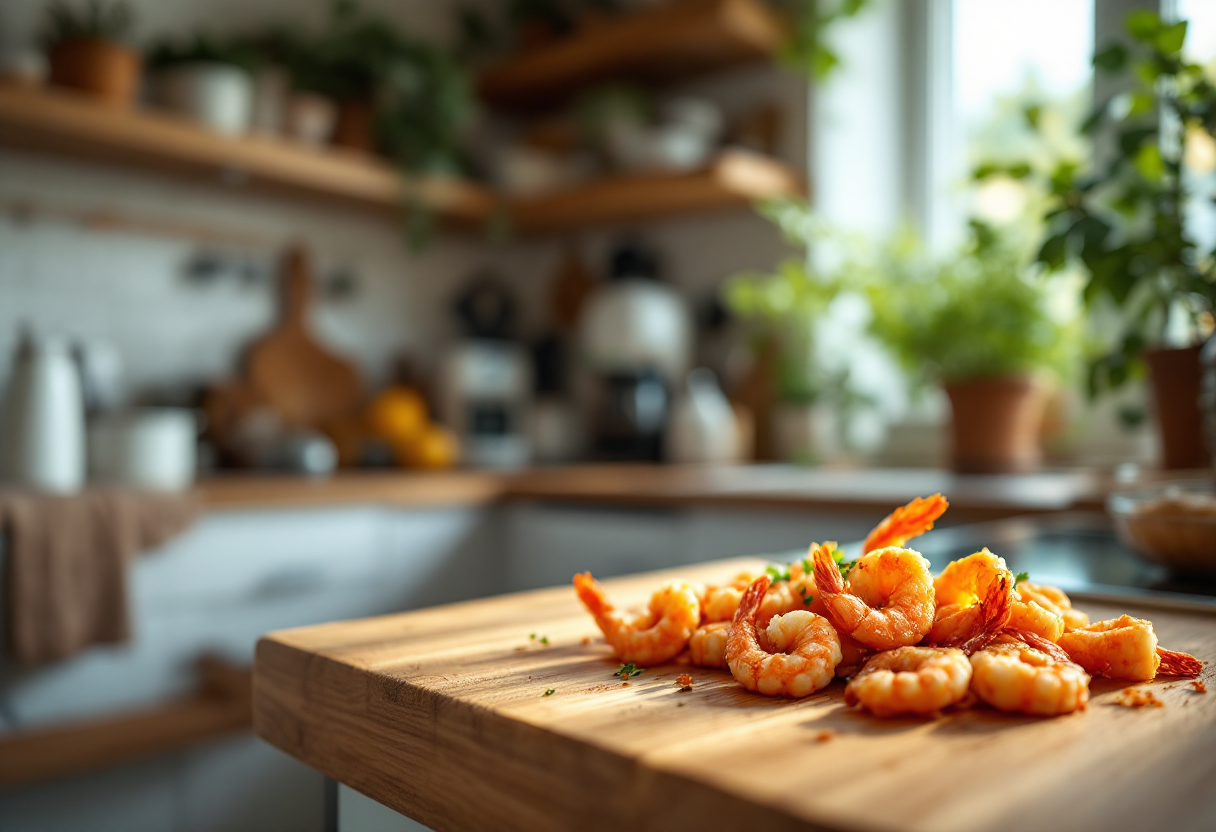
(652,638)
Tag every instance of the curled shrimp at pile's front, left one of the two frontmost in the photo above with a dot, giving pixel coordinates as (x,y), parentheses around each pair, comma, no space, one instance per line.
(911,681)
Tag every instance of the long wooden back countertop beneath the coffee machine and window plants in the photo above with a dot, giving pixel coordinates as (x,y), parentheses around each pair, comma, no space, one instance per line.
(972,497)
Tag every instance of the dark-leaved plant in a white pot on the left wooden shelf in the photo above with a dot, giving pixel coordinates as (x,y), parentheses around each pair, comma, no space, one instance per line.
(206,80)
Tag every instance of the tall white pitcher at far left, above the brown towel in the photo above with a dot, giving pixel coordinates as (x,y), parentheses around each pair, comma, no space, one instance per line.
(42,423)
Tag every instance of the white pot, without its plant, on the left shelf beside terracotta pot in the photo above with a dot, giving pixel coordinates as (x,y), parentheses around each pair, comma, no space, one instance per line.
(217,95)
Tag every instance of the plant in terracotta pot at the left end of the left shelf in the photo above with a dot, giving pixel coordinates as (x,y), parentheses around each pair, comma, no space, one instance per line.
(86,50)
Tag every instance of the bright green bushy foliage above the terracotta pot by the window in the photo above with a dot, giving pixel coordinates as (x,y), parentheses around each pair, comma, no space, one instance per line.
(984,313)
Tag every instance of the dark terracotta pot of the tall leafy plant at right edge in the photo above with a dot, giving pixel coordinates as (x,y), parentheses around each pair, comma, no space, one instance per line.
(1175,376)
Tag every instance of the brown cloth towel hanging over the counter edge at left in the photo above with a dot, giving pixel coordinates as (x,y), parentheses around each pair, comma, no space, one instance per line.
(66,564)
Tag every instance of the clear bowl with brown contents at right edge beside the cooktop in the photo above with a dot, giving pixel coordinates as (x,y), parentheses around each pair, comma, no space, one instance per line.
(1173,524)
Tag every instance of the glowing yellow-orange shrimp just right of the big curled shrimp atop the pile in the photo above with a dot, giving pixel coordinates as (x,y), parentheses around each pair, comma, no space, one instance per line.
(975,599)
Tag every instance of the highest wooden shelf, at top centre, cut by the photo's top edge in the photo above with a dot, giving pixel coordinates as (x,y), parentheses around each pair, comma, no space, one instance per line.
(658,46)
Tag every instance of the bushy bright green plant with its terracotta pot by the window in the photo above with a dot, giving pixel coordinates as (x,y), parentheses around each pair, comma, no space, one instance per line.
(982,325)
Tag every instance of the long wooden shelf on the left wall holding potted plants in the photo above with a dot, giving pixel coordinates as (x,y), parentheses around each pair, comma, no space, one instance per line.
(57,122)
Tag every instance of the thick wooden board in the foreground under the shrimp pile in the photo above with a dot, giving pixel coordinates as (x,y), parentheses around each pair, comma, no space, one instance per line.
(442,715)
